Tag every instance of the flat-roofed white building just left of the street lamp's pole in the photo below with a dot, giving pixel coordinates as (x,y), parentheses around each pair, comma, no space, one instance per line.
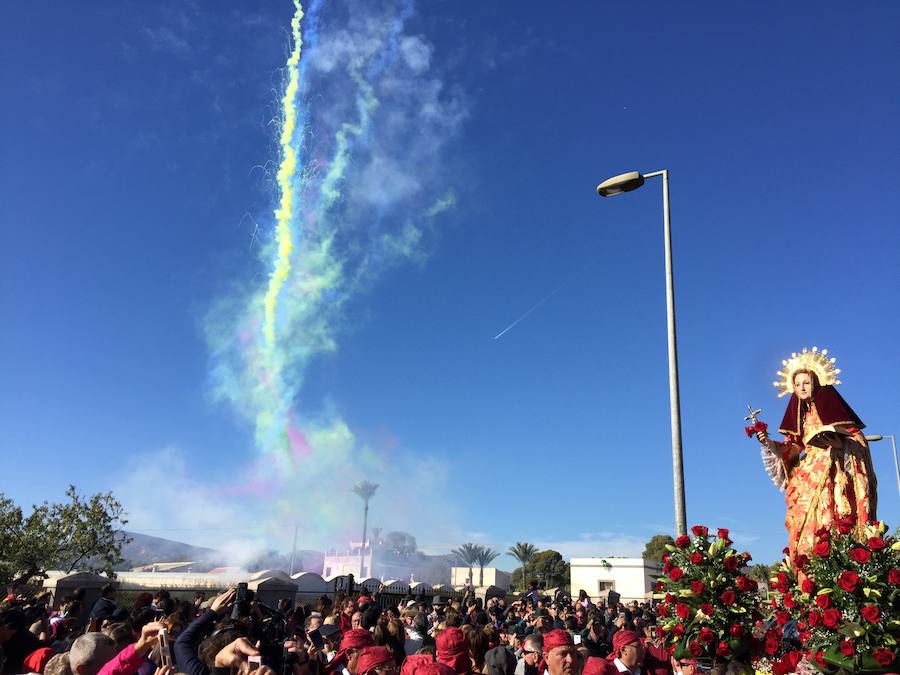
(631,578)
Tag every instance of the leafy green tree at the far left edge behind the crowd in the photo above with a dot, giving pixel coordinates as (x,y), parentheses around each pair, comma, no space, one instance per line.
(83,533)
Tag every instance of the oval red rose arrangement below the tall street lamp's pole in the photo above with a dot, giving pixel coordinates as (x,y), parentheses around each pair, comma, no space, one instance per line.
(708,605)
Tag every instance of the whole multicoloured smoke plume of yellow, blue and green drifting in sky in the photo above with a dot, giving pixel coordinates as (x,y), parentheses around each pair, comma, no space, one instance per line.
(361,106)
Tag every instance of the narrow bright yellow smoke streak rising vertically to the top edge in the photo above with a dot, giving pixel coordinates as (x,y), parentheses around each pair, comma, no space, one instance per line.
(285,212)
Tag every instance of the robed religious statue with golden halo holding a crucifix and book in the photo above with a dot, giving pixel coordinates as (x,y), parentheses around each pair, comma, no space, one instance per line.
(823,465)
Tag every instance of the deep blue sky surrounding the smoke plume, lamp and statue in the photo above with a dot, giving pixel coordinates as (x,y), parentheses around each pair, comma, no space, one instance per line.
(137,194)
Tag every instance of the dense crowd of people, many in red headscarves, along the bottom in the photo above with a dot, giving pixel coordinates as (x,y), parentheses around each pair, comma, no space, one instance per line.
(360,634)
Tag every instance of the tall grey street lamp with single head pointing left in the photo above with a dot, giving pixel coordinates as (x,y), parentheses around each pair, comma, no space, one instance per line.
(627,182)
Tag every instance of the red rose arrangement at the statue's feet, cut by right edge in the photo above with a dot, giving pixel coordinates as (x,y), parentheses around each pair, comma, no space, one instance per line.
(845,599)
